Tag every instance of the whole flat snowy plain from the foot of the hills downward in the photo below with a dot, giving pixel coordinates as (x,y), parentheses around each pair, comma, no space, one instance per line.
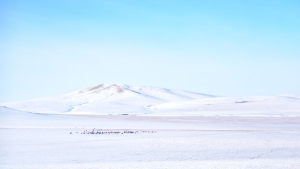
(36,141)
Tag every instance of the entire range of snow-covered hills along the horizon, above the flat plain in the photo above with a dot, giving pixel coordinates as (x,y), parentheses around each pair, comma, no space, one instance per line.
(119,99)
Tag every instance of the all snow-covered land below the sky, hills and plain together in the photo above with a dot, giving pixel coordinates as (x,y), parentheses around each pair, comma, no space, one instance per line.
(172,129)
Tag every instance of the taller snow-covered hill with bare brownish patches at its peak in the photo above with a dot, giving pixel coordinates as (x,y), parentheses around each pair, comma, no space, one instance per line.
(106,99)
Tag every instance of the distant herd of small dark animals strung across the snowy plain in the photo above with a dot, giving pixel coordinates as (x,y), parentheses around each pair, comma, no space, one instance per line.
(101,131)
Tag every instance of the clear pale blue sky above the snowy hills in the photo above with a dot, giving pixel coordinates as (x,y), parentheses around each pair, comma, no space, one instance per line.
(220,47)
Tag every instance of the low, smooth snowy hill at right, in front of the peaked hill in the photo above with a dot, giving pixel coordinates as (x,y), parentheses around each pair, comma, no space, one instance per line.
(276,106)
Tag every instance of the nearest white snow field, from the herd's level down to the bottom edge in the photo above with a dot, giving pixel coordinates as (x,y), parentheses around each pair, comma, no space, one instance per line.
(56,148)
